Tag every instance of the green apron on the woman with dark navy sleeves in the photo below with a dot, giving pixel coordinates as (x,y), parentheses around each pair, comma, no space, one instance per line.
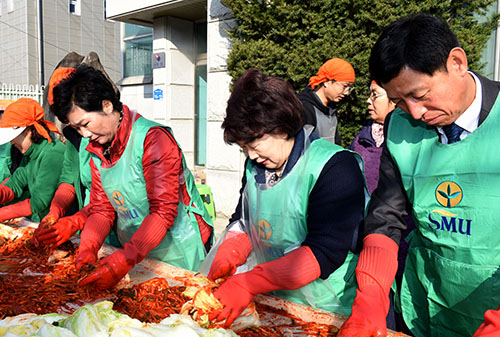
(278,224)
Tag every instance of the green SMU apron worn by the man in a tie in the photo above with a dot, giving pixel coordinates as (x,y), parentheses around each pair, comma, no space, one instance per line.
(451,275)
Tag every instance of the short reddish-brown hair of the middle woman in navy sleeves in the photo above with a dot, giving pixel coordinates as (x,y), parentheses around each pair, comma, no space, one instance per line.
(259,105)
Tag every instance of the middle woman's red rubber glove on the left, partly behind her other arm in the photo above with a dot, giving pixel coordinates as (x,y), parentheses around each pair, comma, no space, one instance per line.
(232,253)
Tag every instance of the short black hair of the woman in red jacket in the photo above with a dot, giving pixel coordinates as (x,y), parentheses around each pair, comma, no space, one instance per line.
(86,88)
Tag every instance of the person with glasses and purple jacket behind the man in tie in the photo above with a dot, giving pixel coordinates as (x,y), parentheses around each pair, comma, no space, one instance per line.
(368,142)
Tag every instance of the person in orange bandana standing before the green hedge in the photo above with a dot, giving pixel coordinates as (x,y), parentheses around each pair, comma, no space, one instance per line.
(333,82)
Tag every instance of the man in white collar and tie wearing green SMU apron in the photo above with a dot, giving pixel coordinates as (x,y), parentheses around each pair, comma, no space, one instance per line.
(439,164)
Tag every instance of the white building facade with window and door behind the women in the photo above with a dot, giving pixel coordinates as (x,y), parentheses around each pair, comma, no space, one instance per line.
(189,85)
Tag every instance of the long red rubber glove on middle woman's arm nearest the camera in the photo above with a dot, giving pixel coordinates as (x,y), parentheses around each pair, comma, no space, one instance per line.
(291,271)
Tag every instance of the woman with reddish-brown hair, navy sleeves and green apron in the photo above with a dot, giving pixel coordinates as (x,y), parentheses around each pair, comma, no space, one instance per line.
(300,208)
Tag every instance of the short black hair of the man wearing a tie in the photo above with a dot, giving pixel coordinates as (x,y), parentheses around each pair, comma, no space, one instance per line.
(421,42)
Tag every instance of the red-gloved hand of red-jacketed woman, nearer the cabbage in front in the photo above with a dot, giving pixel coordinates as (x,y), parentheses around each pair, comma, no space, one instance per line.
(111,270)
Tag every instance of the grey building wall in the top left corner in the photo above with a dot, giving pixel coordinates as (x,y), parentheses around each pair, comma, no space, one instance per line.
(63,32)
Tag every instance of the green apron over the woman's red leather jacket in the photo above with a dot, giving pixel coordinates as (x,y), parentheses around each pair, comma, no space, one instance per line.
(125,187)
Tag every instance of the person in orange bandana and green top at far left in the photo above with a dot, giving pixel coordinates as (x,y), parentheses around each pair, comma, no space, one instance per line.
(22,125)
